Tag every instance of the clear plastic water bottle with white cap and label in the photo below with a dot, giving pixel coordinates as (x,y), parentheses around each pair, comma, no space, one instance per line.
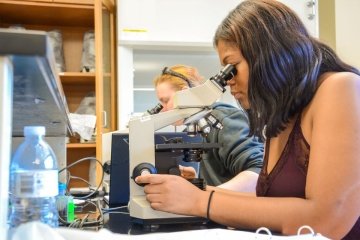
(33,180)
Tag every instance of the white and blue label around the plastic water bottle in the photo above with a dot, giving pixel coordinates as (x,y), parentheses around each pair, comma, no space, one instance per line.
(33,184)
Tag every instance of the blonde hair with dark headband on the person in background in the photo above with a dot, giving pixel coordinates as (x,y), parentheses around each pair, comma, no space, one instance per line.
(179,77)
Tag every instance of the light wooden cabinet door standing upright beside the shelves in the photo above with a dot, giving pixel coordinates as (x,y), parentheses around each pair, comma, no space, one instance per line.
(105,72)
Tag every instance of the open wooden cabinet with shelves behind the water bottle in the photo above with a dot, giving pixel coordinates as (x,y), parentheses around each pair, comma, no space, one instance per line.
(74,18)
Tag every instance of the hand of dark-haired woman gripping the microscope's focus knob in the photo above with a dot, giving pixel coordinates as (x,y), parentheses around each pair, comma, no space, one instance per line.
(174,194)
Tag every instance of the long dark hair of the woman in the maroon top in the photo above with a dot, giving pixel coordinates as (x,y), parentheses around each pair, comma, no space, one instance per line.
(284,61)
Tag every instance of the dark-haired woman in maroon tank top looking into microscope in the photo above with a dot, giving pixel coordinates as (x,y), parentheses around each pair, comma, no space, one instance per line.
(306,102)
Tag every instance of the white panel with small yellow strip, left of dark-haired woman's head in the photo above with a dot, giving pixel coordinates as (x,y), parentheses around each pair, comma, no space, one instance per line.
(172,21)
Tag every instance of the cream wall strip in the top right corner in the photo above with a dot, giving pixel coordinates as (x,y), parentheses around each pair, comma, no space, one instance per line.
(348,31)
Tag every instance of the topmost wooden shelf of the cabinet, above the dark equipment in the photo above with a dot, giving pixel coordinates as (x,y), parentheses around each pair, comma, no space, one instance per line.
(49,13)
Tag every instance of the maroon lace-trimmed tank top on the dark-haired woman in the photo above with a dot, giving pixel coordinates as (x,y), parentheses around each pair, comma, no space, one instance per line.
(288,177)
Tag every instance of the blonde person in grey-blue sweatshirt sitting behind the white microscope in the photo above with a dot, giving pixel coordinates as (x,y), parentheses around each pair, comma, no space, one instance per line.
(236,164)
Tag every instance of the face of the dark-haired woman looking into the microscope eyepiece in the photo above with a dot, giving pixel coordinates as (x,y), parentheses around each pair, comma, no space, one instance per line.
(239,83)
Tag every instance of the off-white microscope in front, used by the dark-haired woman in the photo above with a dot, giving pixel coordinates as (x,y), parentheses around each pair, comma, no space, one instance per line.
(190,105)
